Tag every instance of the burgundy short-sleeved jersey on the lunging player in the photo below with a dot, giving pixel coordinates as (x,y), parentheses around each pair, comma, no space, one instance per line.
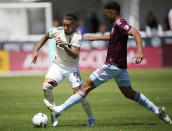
(117,46)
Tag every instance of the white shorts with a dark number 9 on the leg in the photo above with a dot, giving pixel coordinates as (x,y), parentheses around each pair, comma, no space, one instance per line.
(58,73)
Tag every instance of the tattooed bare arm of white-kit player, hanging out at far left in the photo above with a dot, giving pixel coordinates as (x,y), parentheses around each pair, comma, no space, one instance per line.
(40,44)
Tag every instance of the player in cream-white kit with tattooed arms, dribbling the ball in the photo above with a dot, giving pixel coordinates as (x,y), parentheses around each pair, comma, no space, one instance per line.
(65,64)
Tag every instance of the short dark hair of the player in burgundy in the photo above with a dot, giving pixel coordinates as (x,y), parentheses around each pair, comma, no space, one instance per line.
(113,6)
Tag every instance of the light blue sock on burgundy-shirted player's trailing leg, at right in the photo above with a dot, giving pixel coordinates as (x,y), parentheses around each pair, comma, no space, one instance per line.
(142,100)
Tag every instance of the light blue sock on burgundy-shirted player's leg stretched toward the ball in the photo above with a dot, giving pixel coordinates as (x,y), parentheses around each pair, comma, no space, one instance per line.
(74,99)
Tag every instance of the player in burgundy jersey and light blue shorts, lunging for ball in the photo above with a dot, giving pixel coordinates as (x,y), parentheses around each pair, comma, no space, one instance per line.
(115,66)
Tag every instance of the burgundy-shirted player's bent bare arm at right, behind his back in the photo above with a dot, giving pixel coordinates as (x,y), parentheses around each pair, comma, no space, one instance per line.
(139,56)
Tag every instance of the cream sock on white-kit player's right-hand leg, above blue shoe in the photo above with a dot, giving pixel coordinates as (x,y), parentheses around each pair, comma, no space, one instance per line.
(87,107)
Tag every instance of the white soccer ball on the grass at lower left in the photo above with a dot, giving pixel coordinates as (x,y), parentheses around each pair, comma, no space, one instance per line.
(40,120)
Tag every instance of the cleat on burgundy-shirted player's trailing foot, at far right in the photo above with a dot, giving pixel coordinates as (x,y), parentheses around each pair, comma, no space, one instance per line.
(163,115)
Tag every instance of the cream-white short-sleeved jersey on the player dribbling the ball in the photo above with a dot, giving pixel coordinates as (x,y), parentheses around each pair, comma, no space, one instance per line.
(61,56)
